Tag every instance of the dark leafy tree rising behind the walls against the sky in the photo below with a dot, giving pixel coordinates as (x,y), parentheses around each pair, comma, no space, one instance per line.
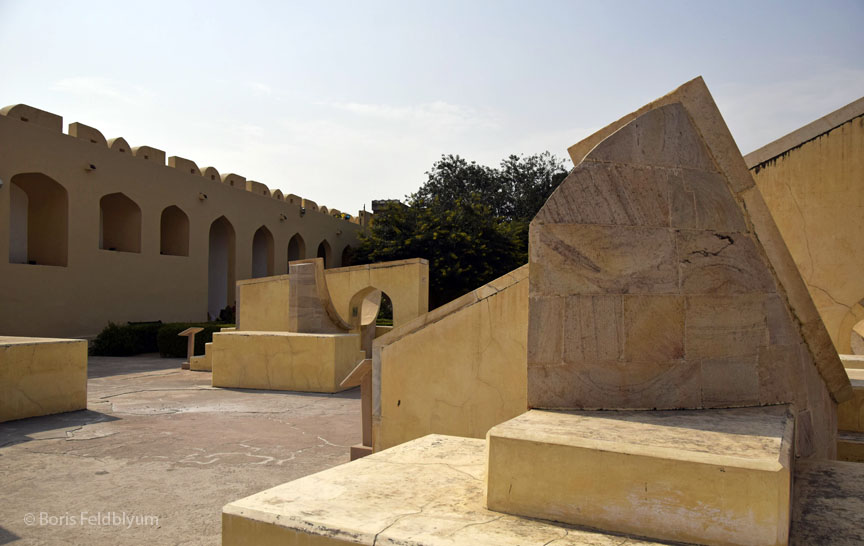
(470,221)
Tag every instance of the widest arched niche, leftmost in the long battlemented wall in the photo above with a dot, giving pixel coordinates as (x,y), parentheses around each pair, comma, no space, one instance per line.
(38,220)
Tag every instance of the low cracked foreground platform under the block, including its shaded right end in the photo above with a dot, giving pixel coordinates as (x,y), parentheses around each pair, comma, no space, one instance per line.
(429,492)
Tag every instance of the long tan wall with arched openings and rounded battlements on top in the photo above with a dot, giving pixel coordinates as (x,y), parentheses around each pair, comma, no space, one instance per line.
(95,230)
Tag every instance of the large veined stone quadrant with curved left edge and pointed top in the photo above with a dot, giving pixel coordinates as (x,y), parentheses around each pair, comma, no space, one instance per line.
(653,286)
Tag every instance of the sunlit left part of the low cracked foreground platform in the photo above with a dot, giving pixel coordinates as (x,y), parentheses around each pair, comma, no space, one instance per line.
(426,492)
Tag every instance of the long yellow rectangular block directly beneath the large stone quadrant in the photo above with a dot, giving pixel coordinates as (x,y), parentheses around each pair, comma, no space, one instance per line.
(718,476)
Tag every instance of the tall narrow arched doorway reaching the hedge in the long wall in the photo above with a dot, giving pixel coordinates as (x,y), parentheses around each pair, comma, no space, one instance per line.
(220,267)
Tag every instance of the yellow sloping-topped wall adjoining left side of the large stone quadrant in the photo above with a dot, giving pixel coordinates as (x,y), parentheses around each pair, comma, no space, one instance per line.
(457,370)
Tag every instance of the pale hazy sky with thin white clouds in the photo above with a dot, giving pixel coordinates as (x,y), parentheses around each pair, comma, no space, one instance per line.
(345,102)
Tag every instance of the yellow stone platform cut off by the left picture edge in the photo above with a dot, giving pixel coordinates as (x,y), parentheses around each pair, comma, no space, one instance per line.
(41,376)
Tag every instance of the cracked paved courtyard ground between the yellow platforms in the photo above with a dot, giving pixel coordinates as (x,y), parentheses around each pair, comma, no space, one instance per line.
(159,441)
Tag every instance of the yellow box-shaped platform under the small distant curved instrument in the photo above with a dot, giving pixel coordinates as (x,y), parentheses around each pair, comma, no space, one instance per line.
(283,360)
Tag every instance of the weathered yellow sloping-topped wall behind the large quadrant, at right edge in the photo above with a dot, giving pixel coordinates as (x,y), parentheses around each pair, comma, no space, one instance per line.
(813,182)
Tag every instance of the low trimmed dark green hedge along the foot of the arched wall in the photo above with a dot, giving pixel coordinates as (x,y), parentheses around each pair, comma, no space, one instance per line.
(151,337)
